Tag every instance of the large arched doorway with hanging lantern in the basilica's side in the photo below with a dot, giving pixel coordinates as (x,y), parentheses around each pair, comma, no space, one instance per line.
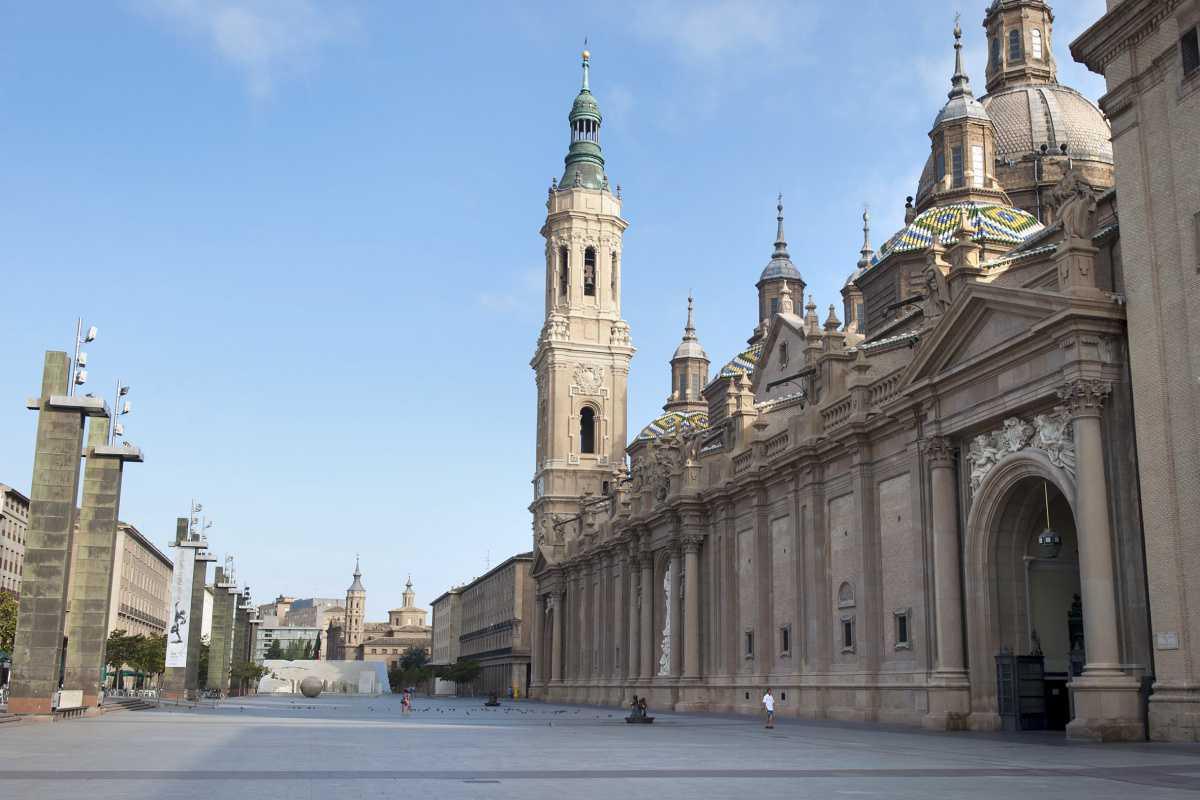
(1023,596)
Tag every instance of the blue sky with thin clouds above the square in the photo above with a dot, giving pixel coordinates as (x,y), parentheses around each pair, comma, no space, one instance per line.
(308,236)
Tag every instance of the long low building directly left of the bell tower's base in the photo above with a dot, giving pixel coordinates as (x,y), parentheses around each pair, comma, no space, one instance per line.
(494,629)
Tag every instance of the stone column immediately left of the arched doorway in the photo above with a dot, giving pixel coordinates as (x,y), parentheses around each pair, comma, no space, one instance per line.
(951,701)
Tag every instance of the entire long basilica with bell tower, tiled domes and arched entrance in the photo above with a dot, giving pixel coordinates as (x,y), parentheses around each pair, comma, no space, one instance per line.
(913,510)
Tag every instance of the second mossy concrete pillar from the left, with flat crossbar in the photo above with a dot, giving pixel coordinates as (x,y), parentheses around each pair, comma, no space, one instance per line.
(92,570)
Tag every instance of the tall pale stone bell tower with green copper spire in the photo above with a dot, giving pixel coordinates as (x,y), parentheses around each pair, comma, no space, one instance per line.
(584,352)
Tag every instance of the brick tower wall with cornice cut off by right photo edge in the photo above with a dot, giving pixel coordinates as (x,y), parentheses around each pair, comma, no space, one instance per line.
(1149,52)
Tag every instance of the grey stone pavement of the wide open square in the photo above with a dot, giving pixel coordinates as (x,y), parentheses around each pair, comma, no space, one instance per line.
(338,748)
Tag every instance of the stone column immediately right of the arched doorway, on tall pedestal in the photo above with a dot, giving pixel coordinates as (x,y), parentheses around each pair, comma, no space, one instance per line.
(1107,701)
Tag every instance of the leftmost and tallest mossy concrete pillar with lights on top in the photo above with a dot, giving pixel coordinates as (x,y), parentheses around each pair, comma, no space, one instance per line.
(38,649)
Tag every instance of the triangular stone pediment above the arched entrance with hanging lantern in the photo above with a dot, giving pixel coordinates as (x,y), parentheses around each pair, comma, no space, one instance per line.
(986,320)
